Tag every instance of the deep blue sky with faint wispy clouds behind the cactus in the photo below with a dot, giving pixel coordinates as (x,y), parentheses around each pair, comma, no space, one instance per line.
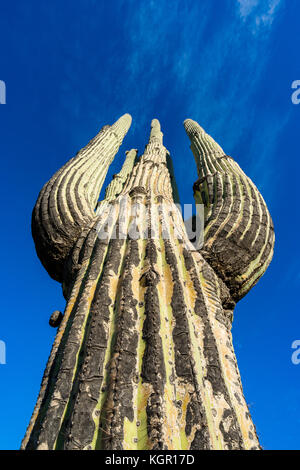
(72,66)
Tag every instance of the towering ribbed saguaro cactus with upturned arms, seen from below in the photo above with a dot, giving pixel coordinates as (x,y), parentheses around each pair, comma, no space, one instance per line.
(143,356)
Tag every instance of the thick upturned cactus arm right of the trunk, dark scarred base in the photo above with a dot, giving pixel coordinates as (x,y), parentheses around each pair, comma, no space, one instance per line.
(239,233)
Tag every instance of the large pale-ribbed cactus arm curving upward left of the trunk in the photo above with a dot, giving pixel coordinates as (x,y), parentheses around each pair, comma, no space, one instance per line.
(66,203)
